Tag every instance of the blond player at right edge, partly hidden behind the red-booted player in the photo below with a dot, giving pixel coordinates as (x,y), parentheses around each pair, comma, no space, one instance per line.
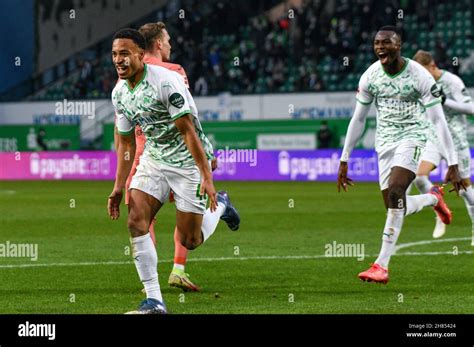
(457,103)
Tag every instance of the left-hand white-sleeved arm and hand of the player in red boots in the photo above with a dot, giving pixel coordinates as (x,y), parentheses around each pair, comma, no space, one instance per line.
(354,132)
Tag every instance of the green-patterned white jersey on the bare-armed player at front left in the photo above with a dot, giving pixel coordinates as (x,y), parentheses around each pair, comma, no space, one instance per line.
(160,98)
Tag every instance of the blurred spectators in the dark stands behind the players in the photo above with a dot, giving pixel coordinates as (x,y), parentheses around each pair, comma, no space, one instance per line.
(248,47)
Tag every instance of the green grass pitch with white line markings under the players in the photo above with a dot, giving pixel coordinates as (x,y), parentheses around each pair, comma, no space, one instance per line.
(280,266)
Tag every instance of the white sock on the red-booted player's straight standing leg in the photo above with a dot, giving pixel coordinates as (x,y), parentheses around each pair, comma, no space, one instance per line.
(393,226)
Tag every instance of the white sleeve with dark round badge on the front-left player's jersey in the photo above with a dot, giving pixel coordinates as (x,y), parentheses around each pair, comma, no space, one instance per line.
(175,97)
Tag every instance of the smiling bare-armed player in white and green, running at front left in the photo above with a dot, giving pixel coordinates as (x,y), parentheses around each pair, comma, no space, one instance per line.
(175,158)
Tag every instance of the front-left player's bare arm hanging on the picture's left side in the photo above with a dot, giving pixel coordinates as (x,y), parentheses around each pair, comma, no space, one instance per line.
(125,147)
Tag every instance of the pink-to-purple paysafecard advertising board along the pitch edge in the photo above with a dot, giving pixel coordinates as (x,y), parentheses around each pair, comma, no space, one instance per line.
(234,165)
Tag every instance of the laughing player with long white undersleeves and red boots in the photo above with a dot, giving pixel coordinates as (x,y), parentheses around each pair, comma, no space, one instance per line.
(402,90)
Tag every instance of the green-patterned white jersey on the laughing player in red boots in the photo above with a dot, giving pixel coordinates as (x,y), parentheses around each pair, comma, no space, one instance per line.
(400,101)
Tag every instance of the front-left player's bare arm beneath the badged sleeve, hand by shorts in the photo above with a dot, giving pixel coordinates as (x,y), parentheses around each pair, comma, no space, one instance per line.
(186,127)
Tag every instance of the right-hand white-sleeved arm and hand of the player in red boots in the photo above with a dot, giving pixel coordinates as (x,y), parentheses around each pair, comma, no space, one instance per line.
(436,115)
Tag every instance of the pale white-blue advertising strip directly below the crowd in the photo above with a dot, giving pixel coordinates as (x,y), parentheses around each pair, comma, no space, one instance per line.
(224,107)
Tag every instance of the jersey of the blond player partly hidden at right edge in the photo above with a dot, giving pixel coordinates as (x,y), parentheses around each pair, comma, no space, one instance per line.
(454,89)
